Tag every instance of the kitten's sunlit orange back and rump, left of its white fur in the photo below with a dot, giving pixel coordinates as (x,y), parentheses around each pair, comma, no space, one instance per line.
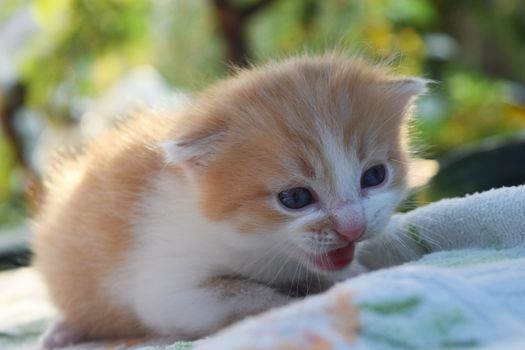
(83,228)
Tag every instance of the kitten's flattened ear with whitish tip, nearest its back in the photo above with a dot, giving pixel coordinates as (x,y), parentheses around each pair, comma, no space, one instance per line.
(193,152)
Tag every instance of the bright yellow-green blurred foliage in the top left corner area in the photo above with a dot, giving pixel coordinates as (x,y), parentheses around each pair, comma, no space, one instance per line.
(83,46)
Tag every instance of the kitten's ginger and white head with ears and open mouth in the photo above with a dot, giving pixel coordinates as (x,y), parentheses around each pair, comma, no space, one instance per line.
(309,152)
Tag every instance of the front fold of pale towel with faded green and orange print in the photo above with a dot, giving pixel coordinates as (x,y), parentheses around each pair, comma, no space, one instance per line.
(461,299)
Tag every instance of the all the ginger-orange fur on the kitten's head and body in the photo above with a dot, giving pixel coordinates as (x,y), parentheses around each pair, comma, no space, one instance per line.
(247,137)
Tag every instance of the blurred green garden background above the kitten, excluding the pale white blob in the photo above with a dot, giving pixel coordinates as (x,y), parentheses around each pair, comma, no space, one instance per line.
(58,56)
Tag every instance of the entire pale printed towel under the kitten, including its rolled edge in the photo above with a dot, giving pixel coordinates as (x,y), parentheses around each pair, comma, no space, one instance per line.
(463,287)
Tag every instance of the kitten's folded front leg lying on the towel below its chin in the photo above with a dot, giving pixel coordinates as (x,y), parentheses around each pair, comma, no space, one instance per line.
(214,304)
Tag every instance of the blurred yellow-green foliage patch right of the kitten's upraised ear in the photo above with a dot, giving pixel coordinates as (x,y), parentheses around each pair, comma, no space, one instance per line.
(467,107)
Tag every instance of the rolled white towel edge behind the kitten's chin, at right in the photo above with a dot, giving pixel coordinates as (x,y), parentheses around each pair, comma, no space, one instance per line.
(493,219)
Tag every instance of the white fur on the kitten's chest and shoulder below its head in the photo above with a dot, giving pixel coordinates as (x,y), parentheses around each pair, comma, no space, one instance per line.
(176,251)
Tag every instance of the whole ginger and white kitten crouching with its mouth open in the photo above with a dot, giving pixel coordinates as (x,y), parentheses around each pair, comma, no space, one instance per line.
(258,192)
